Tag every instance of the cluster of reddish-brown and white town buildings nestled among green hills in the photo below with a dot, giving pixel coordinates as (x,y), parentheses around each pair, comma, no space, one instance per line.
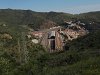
(55,38)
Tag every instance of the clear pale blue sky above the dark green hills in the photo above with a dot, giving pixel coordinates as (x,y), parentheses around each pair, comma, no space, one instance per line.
(67,6)
